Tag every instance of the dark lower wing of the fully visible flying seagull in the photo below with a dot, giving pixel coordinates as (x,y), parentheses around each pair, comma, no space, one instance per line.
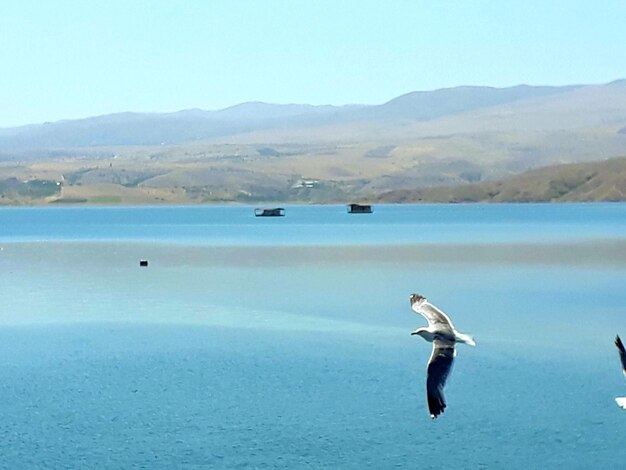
(439,367)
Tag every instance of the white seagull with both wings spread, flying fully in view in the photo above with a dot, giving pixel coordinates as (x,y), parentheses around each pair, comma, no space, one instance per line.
(442,334)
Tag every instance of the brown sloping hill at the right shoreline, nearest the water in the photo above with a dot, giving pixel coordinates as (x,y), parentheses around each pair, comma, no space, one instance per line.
(597,181)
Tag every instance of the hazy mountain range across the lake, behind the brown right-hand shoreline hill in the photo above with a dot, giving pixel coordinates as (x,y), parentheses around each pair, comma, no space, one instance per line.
(297,152)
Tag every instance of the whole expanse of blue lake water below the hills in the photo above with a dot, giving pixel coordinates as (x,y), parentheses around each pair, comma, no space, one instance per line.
(284,343)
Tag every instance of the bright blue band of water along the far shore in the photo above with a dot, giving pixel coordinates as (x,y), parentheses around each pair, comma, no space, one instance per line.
(432,223)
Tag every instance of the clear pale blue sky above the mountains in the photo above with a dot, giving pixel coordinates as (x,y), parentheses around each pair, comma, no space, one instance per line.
(63,59)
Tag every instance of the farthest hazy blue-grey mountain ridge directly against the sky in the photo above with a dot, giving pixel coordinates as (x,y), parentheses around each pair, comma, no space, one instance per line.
(196,125)
